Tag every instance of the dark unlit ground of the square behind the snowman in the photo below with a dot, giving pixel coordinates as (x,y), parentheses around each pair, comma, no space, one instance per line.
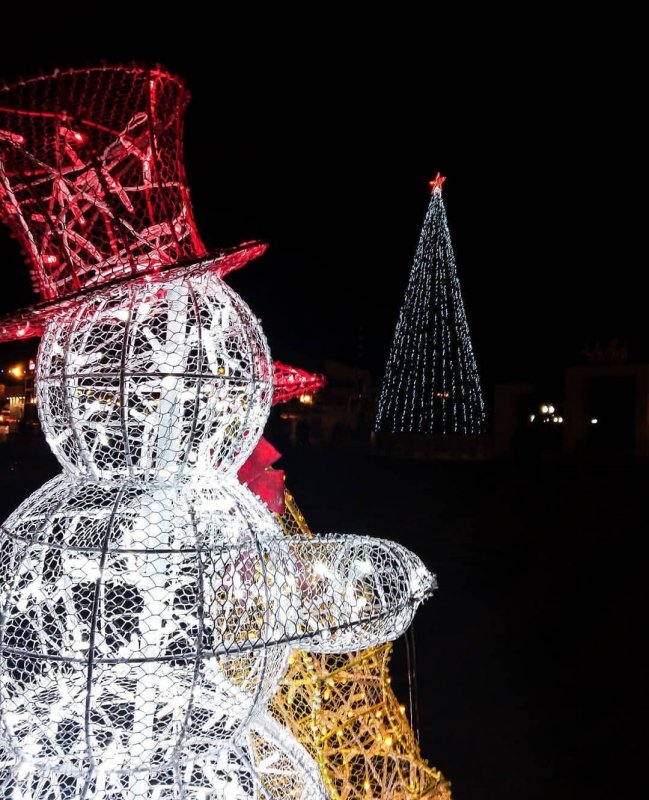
(530,657)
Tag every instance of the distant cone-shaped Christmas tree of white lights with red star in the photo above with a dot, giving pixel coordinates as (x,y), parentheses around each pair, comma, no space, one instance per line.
(431,383)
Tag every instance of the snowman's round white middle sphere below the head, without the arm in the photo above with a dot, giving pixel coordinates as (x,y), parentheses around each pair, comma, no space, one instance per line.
(110,598)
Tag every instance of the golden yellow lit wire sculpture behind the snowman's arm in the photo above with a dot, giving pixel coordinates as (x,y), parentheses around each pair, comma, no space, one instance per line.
(344,712)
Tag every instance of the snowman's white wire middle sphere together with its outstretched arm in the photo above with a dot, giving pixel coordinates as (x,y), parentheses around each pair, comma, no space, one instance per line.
(143,626)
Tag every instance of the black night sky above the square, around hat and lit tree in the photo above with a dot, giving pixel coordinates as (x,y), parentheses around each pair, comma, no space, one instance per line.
(323,145)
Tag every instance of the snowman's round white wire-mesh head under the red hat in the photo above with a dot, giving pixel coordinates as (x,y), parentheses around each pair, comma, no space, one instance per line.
(157,381)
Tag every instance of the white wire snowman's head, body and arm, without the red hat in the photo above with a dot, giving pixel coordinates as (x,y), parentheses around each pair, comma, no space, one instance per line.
(148,600)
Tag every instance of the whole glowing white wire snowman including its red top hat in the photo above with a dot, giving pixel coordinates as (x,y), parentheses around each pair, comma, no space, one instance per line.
(149,601)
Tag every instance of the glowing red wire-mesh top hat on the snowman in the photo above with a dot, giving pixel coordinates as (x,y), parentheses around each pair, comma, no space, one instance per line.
(93,185)
